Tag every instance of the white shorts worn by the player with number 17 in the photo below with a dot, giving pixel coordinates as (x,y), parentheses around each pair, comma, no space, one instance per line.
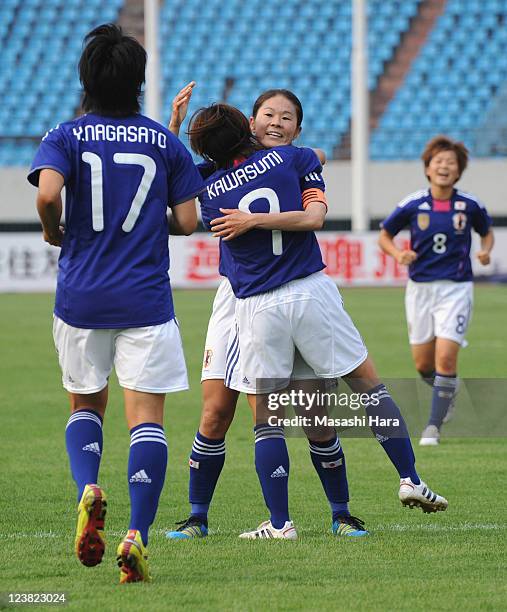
(148,359)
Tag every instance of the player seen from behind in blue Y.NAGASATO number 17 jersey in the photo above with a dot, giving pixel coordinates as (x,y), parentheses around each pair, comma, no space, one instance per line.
(113,306)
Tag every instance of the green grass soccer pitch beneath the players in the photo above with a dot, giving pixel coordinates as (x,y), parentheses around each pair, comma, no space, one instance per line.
(453,560)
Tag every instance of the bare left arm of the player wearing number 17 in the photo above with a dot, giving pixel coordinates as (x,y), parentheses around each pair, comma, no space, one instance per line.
(49,205)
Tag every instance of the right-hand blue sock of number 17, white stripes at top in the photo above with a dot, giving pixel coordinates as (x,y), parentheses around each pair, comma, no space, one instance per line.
(146,474)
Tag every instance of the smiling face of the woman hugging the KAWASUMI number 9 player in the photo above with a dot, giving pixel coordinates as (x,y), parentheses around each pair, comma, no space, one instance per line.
(276,122)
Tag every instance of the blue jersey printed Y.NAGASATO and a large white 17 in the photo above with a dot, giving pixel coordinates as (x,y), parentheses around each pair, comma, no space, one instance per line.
(120,176)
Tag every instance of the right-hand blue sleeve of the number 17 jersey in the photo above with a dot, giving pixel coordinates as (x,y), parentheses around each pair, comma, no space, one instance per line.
(185,181)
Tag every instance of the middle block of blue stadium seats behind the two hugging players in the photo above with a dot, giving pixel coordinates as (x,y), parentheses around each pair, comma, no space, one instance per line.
(299,45)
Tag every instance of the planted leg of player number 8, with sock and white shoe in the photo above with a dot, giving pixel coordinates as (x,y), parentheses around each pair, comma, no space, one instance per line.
(444,390)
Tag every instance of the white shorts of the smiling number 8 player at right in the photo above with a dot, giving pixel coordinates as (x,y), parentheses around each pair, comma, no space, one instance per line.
(441,309)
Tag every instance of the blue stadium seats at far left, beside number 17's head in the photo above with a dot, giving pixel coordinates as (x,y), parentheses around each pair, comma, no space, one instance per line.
(41,43)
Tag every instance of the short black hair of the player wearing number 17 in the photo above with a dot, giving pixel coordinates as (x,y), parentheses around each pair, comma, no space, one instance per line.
(112,71)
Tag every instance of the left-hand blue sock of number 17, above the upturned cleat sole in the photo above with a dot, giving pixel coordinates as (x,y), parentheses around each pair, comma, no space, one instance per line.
(83,439)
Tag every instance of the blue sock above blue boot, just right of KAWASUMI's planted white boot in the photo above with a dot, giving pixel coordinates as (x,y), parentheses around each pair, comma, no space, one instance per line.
(329,462)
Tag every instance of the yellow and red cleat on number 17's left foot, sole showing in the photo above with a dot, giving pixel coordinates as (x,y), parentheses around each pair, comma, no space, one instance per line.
(90,542)
